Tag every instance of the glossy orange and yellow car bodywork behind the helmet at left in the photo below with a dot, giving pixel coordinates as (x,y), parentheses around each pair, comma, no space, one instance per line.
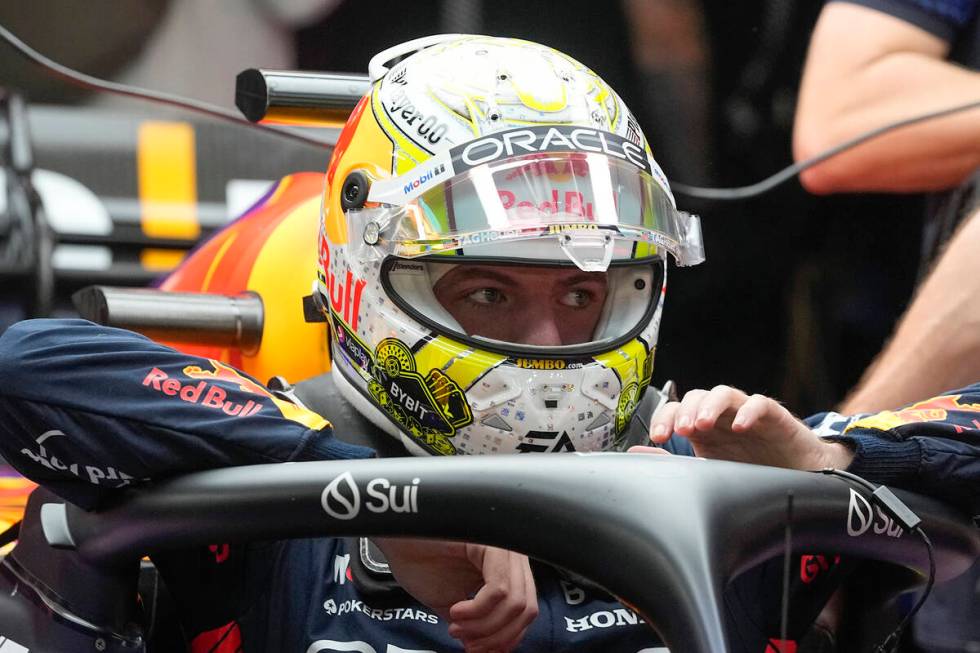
(269,250)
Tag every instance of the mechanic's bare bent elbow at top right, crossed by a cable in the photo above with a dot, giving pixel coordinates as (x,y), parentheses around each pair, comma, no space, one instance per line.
(865,69)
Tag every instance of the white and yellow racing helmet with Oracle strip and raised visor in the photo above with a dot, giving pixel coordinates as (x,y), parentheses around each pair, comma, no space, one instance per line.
(473,150)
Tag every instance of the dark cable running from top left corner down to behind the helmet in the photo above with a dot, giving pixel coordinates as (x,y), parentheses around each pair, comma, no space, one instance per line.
(94,83)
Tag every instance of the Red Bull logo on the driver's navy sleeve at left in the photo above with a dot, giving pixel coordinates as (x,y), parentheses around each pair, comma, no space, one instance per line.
(205,392)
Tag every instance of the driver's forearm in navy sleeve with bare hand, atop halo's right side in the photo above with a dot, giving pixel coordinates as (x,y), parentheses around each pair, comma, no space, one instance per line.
(932,447)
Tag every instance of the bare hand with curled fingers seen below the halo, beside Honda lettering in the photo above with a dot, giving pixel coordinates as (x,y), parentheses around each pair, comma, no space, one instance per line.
(445,575)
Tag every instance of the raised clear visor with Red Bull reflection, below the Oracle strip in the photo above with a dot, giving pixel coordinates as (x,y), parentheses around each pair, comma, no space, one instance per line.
(597,208)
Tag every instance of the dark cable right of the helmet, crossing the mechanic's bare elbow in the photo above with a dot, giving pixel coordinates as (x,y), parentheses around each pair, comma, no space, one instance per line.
(784,175)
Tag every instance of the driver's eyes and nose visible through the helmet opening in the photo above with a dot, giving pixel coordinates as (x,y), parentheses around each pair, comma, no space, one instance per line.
(526,305)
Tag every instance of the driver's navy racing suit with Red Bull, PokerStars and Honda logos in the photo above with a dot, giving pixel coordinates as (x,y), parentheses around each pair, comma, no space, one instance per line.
(86,409)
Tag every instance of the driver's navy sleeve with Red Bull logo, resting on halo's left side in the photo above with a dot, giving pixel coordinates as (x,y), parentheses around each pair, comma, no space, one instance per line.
(86,408)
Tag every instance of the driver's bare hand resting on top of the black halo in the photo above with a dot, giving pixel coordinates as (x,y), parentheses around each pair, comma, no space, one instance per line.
(727,424)
